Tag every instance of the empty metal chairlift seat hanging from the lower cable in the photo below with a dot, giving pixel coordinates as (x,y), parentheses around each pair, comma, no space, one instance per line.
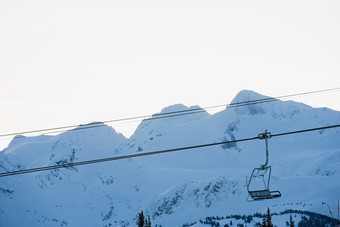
(262,173)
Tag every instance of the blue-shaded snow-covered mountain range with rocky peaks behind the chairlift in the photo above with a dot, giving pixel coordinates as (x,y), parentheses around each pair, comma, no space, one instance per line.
(179,187)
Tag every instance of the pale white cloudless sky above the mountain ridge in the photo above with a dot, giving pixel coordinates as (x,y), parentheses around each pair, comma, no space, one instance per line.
(70,62)
